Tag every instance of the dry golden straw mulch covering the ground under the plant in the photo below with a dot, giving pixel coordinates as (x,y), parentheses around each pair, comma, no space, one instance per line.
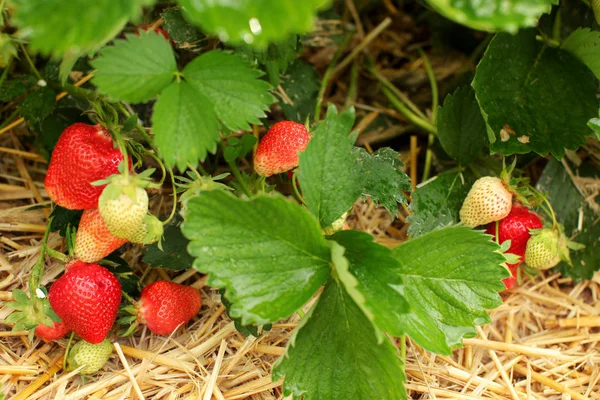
(541,344)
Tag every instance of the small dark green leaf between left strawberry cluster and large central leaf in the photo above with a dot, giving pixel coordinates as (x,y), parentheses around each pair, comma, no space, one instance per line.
(174,255)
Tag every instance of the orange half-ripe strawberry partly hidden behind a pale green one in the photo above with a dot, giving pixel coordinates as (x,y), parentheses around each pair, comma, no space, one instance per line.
(93,241)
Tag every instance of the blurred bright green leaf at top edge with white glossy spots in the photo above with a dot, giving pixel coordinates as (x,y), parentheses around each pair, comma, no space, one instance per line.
(256,22)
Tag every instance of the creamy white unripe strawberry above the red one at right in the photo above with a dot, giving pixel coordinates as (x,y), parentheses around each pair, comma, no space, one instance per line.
(487,201)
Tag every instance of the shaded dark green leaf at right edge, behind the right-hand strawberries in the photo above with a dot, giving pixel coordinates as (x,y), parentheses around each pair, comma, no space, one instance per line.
(568,203)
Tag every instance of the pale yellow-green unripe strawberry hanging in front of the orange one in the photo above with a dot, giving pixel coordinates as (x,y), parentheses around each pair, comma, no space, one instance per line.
(124,213)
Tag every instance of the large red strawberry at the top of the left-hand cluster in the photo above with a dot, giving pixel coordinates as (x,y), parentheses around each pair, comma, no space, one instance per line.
(83,154)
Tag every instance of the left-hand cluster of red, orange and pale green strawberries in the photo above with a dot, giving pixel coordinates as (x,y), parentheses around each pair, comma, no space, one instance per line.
(86,173)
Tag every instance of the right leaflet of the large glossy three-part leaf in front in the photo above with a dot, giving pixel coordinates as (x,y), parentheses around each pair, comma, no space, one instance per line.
(450,278)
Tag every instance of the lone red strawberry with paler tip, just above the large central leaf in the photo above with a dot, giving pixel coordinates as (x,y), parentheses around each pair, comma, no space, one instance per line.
(278,150)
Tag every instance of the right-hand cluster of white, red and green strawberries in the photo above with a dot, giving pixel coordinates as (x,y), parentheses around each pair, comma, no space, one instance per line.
(490,202)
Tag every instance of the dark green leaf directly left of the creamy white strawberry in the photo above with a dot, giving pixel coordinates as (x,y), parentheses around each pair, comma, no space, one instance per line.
(437,203)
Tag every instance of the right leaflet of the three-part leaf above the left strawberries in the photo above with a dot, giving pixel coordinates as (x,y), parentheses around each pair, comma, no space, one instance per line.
(238,97)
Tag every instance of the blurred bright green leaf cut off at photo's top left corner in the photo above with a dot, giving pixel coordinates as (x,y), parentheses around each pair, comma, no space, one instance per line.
(58,27)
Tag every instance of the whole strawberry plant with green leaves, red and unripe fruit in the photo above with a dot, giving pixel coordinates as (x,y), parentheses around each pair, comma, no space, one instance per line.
(207,114)
